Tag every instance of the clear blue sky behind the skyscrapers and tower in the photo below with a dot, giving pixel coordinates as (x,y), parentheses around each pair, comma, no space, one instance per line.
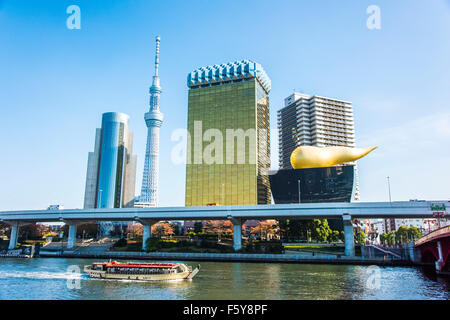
(55,83)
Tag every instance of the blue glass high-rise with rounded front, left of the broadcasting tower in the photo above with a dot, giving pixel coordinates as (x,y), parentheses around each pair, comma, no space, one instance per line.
(111,172)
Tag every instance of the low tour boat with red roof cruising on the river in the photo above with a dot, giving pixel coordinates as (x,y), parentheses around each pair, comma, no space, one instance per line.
(140,271)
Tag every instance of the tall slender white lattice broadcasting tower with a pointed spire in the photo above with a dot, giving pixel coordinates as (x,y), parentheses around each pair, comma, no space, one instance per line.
(153,119)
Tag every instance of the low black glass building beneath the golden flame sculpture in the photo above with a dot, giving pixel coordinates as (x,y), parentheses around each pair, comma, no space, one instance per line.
(329,184)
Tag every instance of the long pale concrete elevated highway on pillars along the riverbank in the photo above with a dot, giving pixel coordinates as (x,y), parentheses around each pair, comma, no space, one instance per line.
(236,214)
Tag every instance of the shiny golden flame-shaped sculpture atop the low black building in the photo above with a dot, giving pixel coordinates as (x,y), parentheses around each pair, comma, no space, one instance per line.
(317,157)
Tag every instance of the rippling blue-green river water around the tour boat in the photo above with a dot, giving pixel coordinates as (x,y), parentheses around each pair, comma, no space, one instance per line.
(52,278)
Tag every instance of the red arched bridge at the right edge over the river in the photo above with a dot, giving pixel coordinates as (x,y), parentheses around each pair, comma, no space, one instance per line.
(435,248)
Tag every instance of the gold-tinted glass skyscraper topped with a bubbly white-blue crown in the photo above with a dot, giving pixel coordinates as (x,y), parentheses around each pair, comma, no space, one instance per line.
(228,155)
